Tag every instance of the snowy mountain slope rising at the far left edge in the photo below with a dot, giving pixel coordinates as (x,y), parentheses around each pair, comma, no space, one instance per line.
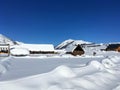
(6,40)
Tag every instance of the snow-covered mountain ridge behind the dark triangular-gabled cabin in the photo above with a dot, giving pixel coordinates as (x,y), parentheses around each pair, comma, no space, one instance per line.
(68,42)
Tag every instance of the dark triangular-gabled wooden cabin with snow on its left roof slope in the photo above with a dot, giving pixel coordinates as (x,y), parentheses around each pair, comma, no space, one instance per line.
(75,50)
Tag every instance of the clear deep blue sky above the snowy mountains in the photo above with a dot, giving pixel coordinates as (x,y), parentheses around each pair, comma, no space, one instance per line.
(52,21)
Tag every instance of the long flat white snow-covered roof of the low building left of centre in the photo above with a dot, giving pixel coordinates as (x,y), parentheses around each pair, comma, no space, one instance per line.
(38,47)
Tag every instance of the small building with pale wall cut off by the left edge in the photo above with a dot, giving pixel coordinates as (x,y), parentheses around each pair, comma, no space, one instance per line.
(4,49)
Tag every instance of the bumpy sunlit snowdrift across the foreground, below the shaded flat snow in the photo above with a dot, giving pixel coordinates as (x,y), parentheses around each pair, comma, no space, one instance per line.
(95,75)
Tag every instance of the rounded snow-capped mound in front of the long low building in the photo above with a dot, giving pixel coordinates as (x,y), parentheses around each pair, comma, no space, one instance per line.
(19,52)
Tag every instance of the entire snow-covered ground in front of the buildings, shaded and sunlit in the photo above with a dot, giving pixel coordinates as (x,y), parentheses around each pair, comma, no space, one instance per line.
(61,72)
